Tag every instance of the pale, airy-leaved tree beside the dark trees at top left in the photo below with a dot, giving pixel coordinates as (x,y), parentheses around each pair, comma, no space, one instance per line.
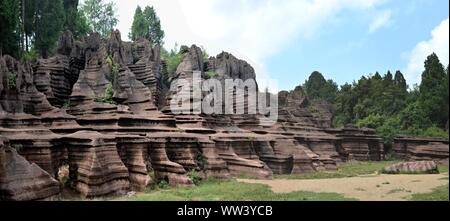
(101,17)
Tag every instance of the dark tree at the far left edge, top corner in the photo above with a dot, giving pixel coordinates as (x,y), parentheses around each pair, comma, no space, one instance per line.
(9,27)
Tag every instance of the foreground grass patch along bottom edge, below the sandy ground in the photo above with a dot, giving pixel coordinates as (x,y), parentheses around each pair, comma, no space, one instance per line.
(231,190)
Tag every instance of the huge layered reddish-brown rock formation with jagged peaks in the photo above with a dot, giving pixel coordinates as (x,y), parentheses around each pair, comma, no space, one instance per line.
(101,106)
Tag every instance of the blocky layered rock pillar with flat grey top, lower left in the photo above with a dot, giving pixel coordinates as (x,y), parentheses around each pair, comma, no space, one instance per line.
(94,164)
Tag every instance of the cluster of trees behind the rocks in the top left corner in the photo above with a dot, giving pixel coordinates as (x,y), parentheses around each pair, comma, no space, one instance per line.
(34,25)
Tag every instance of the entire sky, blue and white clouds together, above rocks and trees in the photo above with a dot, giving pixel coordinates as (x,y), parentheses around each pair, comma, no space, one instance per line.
(286,40)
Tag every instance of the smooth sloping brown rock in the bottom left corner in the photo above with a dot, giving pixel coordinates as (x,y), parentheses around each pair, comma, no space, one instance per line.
(24,181)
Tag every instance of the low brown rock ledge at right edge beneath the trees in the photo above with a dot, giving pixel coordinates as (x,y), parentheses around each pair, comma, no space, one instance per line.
(411,148)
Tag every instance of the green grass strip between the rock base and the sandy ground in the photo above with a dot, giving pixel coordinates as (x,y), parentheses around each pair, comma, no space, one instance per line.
(351,169)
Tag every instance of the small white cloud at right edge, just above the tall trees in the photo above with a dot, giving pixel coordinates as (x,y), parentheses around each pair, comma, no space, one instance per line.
(439,44)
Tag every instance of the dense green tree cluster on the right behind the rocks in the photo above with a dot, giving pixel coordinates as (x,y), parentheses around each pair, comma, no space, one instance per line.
(386,104)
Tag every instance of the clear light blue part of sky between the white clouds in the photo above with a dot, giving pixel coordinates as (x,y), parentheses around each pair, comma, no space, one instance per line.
(346,50)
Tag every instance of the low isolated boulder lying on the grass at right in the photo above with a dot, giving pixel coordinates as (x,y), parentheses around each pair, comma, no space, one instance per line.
(426,167)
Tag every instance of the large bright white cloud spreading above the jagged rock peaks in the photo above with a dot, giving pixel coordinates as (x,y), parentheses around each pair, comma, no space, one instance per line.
(252,30)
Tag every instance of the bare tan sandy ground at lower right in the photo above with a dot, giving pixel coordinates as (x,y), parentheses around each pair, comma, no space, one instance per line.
(366,188)
